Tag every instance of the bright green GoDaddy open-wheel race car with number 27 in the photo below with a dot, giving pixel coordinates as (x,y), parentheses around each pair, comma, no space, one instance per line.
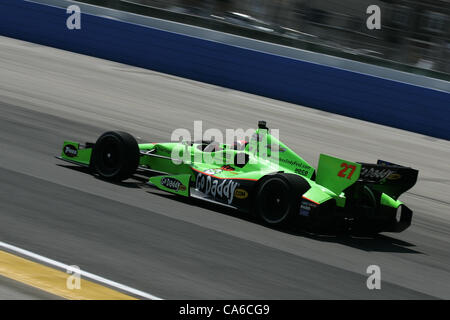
(262,177)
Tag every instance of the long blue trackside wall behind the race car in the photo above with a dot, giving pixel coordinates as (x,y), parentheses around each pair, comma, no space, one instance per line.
(352,94)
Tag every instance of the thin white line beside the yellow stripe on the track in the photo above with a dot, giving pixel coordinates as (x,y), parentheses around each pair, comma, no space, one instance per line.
(85,274)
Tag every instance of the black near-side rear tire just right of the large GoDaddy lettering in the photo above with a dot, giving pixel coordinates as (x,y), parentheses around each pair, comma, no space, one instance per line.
(278,198)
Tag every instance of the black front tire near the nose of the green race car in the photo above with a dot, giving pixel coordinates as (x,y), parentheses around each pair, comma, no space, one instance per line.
(115,156)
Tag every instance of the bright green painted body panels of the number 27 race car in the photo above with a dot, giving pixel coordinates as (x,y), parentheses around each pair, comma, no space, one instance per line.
(183,160)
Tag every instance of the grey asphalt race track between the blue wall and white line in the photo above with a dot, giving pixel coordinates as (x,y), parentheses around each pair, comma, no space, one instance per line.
(176,249)
